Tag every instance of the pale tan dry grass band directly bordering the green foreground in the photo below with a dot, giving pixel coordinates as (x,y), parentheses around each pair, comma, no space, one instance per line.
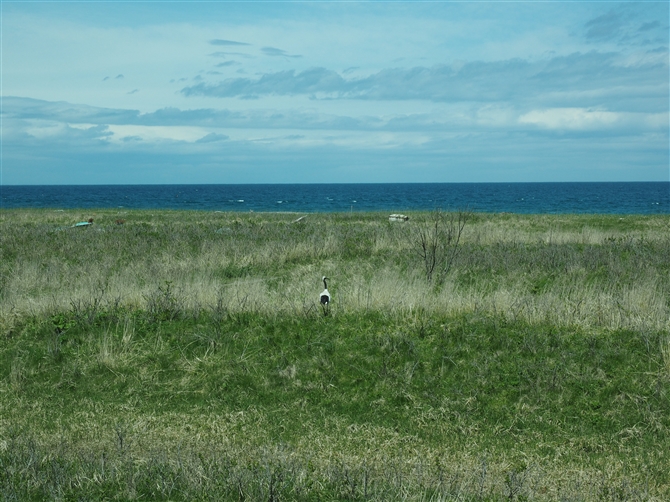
(639,306)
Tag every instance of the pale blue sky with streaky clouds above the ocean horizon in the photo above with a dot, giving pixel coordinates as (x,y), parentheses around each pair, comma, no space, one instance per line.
(156,92)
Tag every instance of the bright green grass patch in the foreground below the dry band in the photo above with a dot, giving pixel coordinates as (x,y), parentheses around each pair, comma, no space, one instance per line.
(368,391)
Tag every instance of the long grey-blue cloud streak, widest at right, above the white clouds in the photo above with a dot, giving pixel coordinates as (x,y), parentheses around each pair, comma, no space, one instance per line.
(558,81)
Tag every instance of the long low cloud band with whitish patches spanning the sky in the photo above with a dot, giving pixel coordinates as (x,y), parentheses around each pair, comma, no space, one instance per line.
(41,119)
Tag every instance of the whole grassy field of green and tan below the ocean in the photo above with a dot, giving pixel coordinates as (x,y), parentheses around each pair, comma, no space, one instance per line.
(184,356)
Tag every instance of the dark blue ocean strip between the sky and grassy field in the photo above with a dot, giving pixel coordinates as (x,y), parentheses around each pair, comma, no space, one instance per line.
(535,198)
